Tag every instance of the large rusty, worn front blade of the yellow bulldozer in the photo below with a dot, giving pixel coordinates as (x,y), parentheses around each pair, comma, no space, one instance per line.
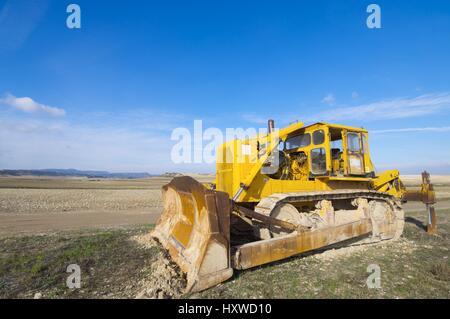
(194,228)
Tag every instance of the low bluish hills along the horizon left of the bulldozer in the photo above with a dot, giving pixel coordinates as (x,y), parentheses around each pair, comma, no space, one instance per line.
(71,173)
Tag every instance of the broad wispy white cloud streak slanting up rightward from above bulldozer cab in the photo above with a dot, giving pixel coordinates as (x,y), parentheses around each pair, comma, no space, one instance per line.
(388,109)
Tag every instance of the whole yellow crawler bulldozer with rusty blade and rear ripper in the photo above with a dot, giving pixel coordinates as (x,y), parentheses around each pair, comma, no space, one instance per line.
(280,194)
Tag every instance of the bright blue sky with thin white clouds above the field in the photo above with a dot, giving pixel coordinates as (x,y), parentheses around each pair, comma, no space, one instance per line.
(107,96)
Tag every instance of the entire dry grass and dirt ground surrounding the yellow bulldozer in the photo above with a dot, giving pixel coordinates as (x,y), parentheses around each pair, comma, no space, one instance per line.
(47,224)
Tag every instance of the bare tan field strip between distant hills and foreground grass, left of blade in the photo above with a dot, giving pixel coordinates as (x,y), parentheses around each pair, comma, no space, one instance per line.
(31,205)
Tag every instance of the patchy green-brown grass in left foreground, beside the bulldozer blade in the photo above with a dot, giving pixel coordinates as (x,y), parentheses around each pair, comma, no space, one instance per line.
(112,265)
